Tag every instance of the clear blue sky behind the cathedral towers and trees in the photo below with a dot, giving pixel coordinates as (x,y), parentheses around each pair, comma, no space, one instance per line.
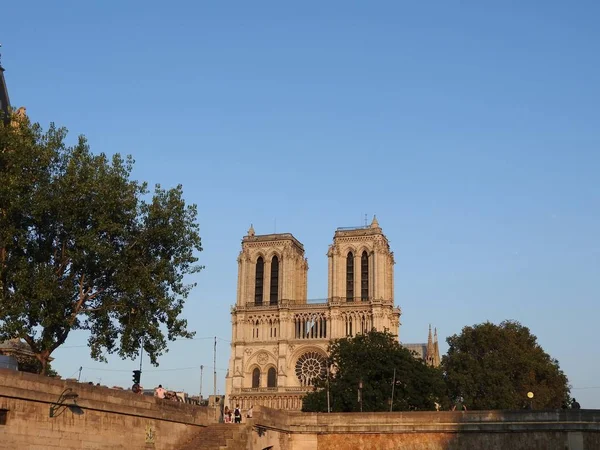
(471,130)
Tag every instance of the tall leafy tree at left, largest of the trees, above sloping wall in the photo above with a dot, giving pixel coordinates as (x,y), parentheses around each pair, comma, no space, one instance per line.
(84,247)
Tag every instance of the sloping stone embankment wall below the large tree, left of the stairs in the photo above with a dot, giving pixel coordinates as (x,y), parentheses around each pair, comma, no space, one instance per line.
(111,419)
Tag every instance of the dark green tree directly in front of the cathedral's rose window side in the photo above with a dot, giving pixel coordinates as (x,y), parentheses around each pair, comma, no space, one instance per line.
(371,359)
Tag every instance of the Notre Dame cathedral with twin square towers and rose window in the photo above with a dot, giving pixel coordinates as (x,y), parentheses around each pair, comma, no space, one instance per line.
(279,338)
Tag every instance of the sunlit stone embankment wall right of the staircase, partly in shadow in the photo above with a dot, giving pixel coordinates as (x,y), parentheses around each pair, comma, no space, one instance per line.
(518,430)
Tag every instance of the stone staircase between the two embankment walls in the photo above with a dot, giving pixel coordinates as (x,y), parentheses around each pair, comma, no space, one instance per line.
(222,436)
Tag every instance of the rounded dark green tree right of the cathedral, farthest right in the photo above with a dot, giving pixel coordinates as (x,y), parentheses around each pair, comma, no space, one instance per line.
(495,366)
